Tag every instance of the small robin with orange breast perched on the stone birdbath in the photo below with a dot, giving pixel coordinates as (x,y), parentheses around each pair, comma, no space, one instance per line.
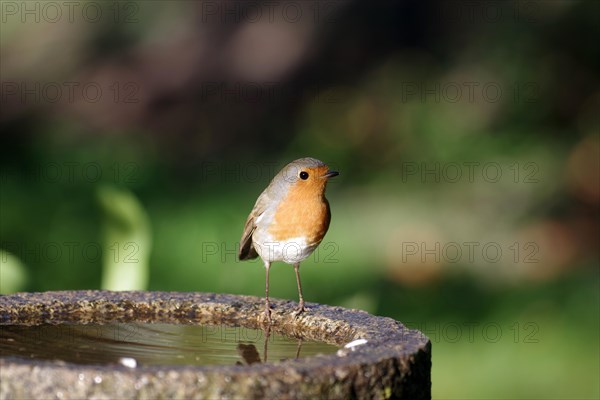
(289,219)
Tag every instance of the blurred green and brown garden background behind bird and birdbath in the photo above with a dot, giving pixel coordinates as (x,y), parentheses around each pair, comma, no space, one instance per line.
(136,137)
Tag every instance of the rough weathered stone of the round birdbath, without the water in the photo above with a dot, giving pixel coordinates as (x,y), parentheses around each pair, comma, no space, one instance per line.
(394,363)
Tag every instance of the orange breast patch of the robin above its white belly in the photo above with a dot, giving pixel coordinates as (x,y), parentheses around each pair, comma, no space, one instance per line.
(304,212)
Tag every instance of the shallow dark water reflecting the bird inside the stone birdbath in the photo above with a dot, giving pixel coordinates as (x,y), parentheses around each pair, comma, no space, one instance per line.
(134,344)
